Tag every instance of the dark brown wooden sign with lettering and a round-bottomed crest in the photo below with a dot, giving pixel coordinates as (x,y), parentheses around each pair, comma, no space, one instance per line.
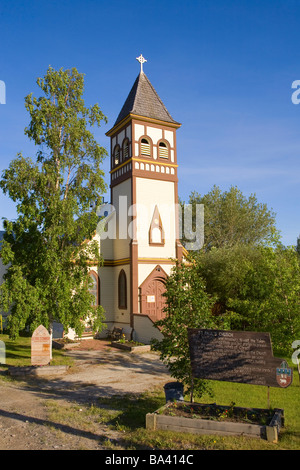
(236,356)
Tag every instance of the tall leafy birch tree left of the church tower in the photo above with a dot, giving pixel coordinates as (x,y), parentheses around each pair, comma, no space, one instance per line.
(46,246)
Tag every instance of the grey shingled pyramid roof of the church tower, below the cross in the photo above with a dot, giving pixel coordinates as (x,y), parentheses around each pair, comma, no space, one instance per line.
(143,100)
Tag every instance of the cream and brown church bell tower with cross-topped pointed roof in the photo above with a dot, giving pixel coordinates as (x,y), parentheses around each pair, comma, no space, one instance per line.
(144,193)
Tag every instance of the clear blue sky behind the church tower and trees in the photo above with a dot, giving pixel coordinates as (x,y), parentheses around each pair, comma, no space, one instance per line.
(223,68)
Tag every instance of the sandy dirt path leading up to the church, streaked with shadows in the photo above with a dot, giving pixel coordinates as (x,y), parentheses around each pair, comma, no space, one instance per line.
(100,371)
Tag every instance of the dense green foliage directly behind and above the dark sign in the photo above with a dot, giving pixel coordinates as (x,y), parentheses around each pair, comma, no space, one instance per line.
(257,288)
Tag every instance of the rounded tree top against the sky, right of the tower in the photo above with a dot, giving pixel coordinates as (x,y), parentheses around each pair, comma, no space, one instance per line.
(232,219)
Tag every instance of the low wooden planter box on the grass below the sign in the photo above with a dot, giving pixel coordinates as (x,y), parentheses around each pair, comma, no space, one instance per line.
(158,420)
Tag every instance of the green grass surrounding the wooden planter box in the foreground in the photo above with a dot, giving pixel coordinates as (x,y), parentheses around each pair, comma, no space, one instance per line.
(130,418)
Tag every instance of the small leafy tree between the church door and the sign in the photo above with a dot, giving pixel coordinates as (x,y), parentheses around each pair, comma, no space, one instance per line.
(187,306)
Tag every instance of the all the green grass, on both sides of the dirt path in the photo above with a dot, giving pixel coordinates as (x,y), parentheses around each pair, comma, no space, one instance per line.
(127,414)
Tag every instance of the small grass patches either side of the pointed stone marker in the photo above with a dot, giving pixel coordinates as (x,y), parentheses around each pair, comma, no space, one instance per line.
(18,353)
